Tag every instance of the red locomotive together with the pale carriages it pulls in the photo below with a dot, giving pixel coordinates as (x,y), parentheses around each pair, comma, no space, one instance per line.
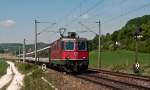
(69,53)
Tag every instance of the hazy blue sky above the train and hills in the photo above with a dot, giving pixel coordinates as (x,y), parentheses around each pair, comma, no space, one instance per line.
(17,17)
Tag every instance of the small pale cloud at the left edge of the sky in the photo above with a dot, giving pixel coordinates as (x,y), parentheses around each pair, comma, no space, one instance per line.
(7,23)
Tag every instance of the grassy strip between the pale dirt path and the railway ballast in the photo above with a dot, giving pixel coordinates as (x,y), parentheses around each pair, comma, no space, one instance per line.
(32,81)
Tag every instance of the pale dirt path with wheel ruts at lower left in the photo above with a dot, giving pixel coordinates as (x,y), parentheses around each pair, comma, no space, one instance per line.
(14,75)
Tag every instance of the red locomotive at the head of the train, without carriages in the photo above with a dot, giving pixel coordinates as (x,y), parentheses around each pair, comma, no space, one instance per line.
(70,53)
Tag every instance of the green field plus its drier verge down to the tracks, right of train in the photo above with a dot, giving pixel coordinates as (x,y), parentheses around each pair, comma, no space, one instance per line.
(120,60)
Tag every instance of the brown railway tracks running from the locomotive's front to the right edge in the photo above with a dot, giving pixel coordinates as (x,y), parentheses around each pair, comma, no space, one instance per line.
(116,80)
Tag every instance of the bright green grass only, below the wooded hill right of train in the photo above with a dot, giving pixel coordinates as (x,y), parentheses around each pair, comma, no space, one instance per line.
(118,57)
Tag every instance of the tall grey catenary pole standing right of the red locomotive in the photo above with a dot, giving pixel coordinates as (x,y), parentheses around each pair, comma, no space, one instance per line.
(99,47)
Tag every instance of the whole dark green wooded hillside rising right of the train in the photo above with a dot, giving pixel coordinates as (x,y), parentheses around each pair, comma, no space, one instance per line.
(125,36)
